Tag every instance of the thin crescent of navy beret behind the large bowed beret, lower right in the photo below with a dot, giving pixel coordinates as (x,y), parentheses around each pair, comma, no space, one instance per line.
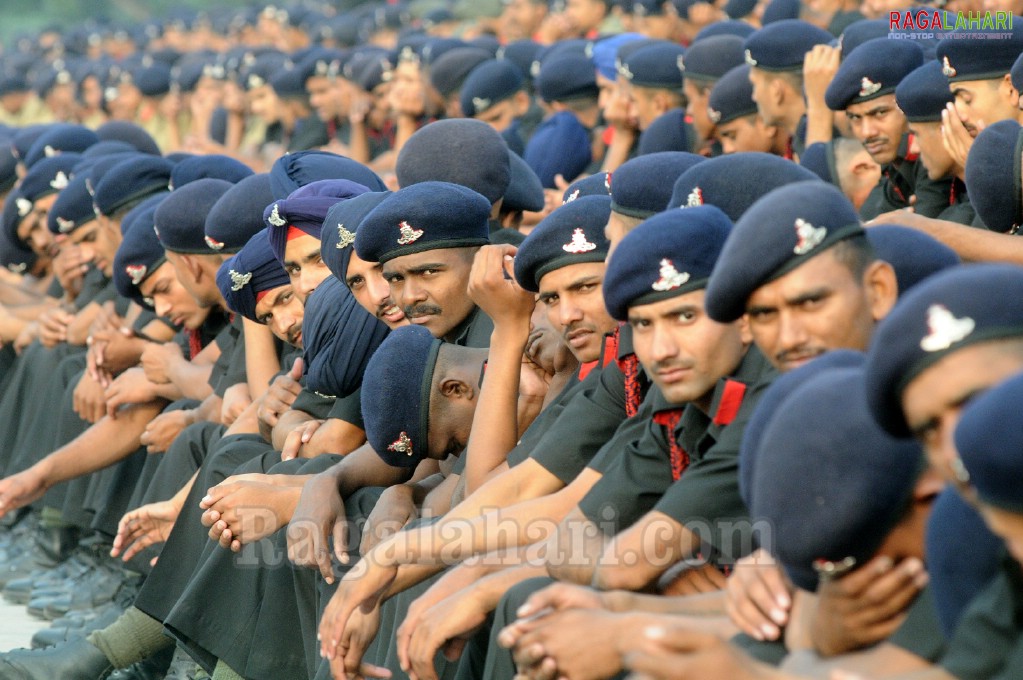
(772,401)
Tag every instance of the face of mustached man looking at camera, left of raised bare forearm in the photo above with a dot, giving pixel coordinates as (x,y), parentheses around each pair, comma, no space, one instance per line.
(431,288)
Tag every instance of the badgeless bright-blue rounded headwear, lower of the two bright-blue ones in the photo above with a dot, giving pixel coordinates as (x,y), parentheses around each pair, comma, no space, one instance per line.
(560,147)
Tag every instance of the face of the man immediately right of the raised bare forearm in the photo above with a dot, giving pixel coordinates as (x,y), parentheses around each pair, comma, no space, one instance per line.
(574,299)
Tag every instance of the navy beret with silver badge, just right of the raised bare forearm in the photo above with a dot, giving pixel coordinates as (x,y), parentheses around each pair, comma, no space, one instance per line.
(572,235)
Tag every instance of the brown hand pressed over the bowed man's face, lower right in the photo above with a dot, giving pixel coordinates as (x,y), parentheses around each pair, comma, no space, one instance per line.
(866,606)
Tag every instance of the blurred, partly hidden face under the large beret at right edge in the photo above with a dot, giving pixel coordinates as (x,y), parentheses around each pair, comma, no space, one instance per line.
(933,401)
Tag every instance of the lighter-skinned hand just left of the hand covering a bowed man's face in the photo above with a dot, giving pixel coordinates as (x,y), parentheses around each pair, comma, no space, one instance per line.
(759,600)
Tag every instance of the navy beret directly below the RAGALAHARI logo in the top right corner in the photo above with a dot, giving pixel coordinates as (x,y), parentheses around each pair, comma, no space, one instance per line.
(973,60)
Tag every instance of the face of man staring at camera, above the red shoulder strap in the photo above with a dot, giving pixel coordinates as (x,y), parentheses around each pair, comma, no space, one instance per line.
(685,352)
